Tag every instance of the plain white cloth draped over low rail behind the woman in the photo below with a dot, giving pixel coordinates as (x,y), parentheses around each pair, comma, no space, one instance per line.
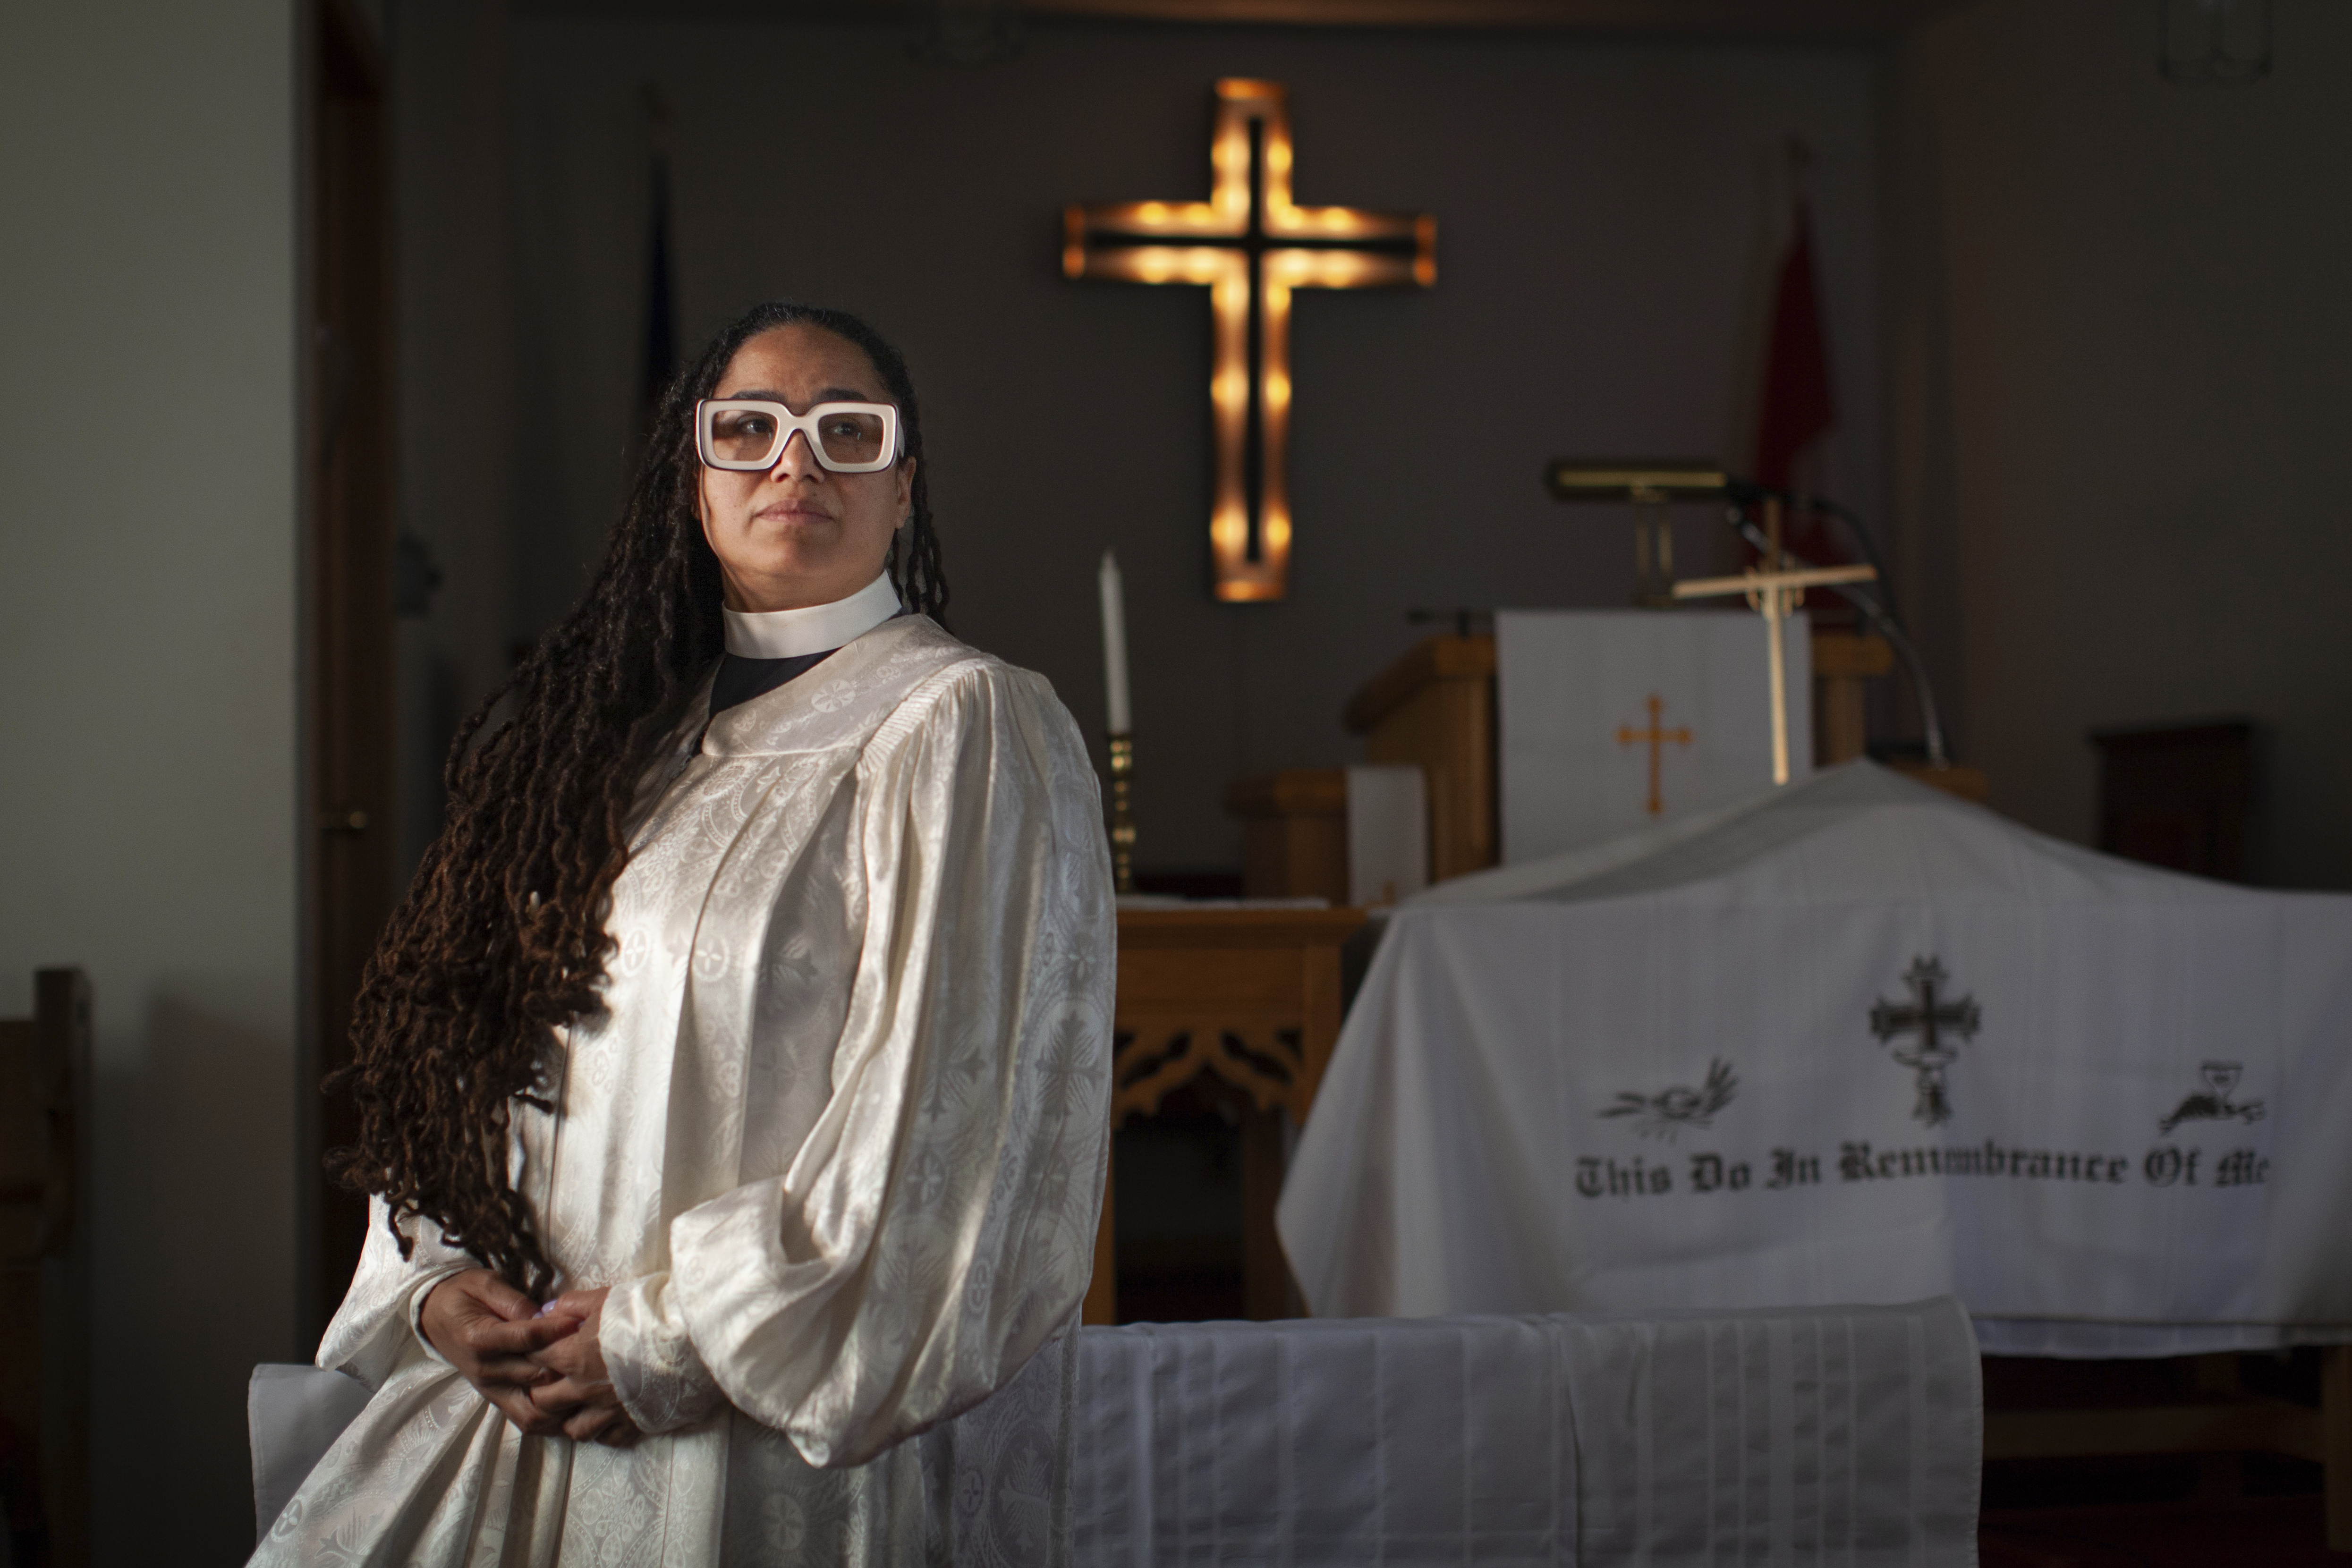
(1786,1438)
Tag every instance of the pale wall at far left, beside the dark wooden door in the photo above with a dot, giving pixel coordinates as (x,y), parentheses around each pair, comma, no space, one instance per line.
(149,699)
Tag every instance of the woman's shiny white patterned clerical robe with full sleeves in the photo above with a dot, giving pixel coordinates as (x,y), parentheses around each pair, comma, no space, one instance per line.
(836,1146)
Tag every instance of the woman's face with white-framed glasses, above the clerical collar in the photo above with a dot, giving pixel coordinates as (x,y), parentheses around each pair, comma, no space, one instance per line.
(801,535)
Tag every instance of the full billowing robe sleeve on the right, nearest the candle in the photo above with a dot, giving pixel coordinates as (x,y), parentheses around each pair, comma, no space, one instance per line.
(937,1226)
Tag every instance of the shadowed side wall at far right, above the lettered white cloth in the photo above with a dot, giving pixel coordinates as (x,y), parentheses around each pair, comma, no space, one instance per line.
(2125,377)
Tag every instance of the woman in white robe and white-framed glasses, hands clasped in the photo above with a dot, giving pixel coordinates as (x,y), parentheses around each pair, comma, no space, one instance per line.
(820,1170)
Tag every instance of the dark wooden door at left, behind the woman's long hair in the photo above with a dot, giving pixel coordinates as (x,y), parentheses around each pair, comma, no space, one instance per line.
(349,605)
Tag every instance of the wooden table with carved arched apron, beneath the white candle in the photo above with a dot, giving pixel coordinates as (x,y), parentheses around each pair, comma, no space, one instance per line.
(1252,998)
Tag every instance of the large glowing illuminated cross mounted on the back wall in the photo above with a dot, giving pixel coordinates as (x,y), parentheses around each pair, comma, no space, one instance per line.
(1250,246)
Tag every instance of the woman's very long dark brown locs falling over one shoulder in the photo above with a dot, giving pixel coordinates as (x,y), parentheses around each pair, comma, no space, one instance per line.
(502,937)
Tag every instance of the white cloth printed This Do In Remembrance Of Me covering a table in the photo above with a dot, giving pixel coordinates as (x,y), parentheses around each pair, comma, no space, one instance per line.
(1692,1066)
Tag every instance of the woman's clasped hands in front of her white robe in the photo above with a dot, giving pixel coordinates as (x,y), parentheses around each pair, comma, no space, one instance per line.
(542,1372)
